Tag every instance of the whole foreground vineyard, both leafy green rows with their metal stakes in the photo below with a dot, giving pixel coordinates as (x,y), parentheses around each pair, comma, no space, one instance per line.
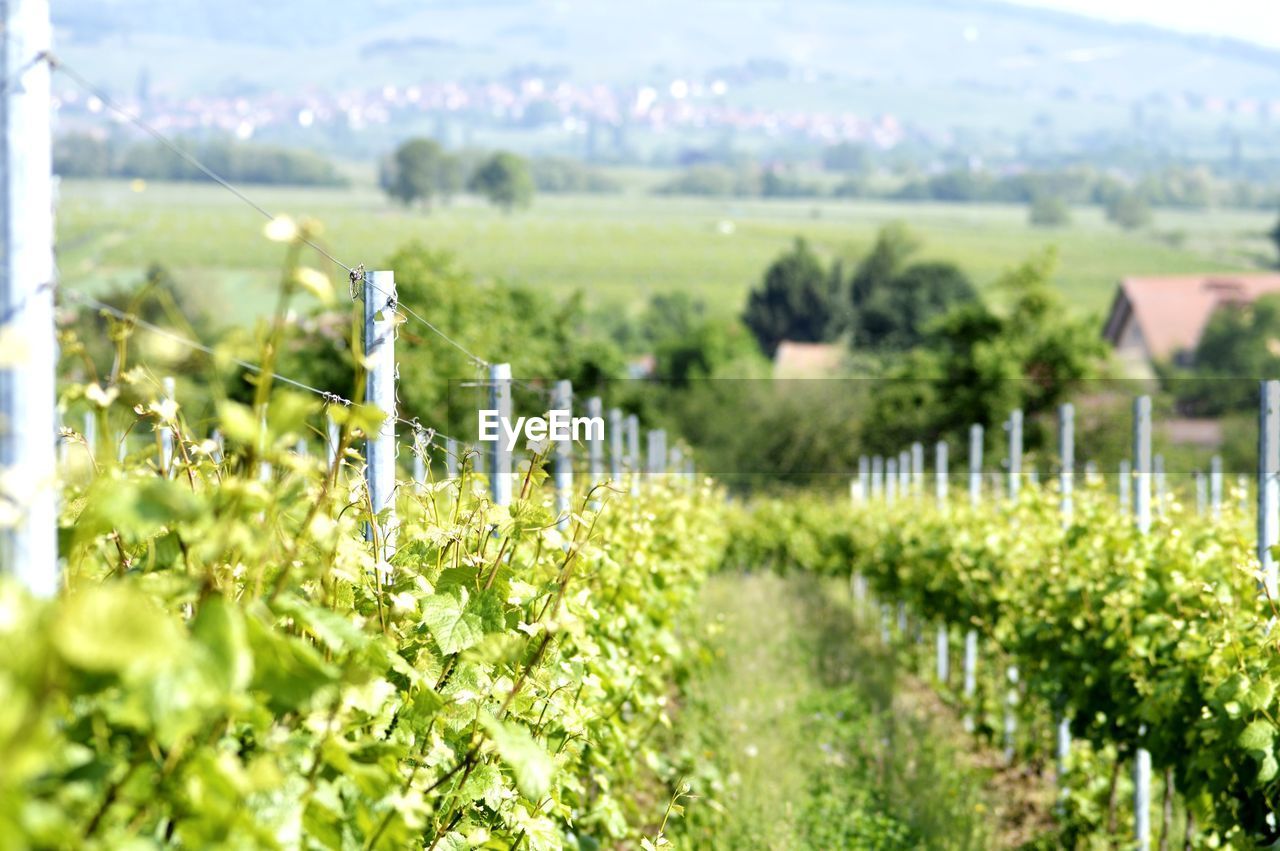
(260,647)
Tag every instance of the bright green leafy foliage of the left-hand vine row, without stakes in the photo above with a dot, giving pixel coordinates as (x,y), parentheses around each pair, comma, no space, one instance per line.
(234,665)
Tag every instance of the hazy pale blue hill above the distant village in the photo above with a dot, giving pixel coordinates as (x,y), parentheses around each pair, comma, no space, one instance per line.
(949,66)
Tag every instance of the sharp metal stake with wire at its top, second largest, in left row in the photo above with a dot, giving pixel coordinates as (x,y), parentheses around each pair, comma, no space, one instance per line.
(381,394)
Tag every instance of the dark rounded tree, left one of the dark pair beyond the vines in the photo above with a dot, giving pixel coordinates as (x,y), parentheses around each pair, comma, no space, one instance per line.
(793,303)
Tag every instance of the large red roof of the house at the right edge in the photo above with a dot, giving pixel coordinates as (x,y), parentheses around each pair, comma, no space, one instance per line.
(1173,310)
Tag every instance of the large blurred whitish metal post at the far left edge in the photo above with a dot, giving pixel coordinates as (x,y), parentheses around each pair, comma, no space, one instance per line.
(29,436)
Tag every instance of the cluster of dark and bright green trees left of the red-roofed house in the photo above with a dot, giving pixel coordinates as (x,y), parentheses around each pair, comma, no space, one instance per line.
(943,359)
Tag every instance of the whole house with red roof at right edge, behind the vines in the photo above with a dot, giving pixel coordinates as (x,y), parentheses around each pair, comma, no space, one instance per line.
(1162,319)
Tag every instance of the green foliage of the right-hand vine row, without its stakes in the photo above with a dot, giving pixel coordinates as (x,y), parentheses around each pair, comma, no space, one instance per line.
(1160,639)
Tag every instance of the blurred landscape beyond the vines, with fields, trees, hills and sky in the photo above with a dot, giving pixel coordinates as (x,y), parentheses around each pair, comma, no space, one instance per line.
(944,202)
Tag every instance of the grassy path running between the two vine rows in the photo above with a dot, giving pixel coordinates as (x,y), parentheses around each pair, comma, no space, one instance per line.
(810,735)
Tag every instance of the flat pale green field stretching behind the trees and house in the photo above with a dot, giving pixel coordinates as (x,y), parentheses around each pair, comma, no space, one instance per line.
(616,249)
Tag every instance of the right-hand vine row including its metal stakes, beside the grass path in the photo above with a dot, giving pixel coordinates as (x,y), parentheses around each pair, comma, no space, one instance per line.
(1078,628)
